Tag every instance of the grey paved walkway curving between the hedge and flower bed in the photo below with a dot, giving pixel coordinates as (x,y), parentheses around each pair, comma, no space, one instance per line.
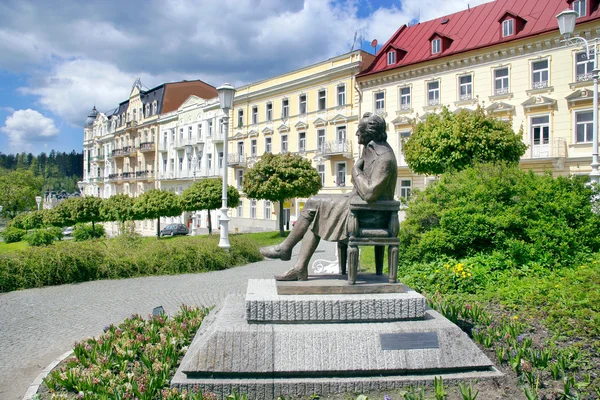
(38,325)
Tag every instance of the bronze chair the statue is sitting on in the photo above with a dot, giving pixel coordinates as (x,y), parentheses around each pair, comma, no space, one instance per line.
(371,224)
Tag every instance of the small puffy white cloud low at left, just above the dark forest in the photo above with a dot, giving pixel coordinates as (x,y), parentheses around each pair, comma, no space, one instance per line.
(26,128)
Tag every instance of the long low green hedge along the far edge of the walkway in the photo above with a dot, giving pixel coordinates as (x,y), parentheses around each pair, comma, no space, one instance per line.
(123,257)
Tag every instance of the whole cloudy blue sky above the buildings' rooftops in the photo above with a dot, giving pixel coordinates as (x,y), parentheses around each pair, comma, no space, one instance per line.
(58,59)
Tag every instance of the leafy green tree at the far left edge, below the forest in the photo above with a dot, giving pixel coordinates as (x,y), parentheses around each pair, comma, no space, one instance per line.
(17,192)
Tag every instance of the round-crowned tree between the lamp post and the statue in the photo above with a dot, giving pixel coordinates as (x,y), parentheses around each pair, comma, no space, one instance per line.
(280,177)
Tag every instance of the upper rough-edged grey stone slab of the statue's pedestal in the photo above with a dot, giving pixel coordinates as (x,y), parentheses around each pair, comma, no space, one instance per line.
(264,305)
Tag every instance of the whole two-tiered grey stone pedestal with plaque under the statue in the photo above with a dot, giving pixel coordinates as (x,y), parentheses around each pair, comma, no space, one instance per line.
(268,344)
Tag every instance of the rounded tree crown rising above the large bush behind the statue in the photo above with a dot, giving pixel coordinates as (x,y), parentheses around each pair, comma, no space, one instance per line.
(453,142)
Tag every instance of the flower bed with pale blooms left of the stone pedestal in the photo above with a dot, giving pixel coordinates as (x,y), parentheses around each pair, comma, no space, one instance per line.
(133,360)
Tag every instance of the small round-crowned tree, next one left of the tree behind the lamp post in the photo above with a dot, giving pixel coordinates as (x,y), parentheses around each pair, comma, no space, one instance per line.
(156,203)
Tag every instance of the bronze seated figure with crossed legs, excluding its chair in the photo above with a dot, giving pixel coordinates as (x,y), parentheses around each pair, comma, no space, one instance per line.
(374,178)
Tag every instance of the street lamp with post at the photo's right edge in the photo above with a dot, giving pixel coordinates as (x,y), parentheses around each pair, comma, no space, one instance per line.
(566,25)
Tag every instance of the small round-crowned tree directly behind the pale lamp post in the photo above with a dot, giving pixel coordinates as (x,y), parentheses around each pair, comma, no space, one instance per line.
(206,194)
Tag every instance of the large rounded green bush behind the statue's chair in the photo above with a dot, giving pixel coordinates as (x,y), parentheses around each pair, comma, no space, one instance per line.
(515,216)
